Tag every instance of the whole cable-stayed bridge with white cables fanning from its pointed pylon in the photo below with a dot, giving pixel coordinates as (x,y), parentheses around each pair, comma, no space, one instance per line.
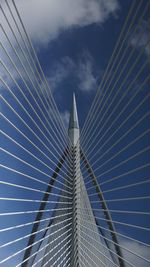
(71,197)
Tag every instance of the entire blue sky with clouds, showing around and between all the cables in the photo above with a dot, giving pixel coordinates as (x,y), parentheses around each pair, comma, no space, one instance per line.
(74,42)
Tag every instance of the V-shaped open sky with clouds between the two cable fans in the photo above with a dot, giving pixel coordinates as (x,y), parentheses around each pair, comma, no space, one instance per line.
(74,47)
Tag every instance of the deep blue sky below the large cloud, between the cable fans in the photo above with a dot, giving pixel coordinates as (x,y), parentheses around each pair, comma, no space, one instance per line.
(77,58)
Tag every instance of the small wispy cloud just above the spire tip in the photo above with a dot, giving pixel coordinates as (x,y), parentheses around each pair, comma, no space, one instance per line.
(82,70)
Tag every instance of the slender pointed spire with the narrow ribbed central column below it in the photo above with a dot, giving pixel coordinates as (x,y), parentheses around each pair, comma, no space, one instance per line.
(74,135)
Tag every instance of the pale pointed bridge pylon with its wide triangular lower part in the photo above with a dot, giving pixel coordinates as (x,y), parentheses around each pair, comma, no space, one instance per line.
(74,237)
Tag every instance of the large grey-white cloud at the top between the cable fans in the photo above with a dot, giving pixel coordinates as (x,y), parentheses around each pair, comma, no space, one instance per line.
(45,19)
